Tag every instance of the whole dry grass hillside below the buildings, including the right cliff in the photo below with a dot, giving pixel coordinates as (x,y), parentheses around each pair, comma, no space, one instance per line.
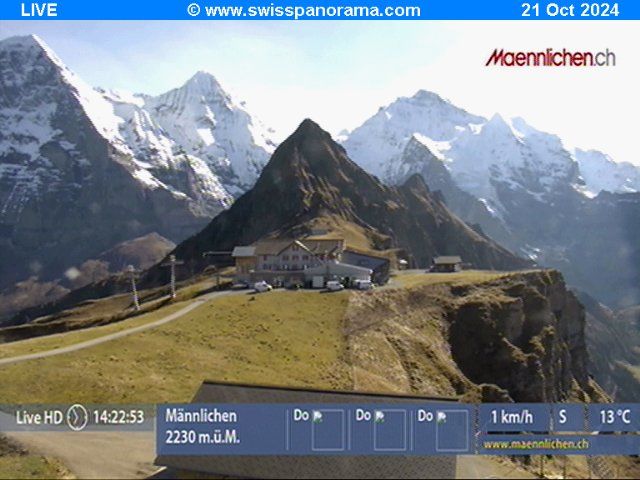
(524,331)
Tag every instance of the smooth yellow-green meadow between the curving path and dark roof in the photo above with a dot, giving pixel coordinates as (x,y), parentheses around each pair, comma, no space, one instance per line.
(285,338)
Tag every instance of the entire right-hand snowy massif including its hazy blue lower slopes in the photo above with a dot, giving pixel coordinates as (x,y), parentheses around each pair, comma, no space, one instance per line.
(564,208)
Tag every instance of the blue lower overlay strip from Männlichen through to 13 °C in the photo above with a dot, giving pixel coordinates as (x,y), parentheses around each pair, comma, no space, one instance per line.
(391,429)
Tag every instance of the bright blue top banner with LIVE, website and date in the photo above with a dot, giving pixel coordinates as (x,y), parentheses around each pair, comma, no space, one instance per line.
(321,10)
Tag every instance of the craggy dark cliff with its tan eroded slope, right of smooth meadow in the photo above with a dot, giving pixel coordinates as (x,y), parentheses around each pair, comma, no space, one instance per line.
(516,337)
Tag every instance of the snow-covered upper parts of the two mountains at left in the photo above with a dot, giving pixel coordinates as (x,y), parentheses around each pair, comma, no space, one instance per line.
(193,141)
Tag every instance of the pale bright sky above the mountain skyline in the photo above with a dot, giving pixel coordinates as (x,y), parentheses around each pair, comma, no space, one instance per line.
(340,73)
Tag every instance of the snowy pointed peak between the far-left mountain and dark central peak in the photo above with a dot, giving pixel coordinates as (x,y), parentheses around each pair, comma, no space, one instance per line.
(201,122)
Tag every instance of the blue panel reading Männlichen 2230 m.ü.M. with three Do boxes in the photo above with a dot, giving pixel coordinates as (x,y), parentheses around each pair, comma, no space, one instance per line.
(323,429)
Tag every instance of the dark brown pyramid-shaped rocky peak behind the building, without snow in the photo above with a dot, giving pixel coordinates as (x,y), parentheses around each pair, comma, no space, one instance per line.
(310,178)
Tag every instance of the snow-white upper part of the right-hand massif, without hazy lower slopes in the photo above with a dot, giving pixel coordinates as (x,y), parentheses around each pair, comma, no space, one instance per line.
(482,153)
